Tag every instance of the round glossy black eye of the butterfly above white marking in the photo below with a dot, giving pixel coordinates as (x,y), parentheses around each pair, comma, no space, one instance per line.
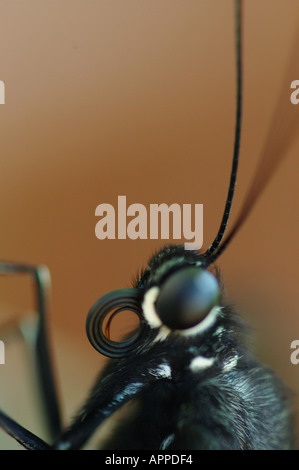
(186,297)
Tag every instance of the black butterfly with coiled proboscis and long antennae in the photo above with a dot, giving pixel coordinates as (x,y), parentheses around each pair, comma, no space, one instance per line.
(187,371)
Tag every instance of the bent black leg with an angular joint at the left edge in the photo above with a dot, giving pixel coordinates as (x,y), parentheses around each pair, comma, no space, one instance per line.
(41,278)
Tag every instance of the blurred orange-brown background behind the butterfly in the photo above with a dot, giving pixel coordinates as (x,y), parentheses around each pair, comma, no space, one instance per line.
(138,99)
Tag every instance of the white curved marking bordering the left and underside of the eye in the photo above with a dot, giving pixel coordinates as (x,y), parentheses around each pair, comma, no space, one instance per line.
(150,314)
